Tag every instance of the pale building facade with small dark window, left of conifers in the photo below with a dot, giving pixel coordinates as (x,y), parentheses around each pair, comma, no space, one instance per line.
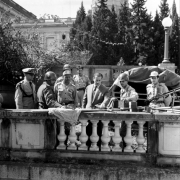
(54,33)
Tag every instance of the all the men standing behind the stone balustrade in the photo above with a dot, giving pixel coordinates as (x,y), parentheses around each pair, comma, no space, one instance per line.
(77,91)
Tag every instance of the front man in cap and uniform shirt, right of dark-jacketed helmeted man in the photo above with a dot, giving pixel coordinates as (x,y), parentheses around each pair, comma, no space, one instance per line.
(66,91)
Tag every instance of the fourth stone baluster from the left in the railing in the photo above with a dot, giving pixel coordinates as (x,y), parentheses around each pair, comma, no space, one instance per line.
(94,137)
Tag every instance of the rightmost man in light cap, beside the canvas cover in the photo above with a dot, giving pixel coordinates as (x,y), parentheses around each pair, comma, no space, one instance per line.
(156,88)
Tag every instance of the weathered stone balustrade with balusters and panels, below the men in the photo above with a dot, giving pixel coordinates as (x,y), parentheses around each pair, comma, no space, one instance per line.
(35,132)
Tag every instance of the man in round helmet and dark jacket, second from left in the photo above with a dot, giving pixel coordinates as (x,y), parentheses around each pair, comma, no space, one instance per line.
(46,96)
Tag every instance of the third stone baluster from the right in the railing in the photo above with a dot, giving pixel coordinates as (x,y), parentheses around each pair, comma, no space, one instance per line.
(117,138)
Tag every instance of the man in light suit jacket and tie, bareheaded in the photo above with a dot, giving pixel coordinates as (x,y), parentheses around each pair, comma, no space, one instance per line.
(96,95)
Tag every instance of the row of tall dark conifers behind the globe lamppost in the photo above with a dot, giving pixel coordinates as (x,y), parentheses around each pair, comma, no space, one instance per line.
(131,33)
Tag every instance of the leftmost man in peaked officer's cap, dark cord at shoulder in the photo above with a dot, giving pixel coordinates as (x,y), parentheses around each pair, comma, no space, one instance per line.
(25,94)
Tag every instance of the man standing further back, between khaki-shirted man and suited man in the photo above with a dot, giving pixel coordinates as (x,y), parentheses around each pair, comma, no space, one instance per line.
(81,81)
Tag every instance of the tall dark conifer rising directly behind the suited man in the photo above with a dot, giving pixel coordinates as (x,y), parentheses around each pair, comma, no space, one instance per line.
(104,33)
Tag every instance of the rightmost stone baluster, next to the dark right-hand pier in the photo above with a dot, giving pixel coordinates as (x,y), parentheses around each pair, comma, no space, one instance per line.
(140,138)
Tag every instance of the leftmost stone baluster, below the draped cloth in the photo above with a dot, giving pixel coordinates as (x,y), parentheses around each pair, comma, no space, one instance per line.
(61,136)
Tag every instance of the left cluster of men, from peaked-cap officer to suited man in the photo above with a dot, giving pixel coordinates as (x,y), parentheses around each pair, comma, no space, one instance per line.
(65,92)
